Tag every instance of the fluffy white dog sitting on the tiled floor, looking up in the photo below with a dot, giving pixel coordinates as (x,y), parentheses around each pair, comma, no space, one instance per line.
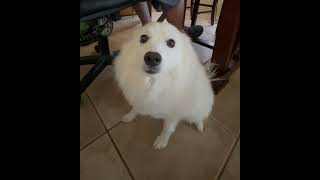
(160,75)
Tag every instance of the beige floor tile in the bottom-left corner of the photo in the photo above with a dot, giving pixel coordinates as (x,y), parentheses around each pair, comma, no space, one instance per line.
(100,161)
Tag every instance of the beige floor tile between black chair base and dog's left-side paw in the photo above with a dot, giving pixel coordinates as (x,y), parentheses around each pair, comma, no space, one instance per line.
(107,98)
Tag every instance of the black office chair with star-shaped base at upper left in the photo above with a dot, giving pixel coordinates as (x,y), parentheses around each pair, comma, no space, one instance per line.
(93,10)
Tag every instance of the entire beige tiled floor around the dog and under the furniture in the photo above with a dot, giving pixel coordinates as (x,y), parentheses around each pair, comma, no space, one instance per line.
(113,150)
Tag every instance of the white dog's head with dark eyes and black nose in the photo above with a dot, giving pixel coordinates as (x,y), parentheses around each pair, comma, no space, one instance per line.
(159,47)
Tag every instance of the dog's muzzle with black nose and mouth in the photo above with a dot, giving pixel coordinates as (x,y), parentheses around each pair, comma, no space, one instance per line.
(152,62)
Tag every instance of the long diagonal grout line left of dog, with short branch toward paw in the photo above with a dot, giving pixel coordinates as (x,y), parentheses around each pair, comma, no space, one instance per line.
(112,140)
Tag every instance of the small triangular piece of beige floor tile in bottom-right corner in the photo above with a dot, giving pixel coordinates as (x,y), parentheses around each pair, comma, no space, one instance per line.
(232,170)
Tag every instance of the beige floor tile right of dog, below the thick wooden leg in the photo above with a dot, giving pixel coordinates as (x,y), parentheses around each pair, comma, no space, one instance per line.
(227,105)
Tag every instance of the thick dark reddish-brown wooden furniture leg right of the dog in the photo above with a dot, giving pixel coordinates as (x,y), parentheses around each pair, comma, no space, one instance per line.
(227,43)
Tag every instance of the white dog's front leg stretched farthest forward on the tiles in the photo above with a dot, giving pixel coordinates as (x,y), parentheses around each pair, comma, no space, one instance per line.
(169,126)
